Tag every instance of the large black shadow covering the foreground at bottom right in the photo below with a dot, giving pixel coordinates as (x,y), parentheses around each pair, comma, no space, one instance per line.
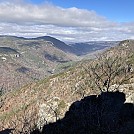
(104,114)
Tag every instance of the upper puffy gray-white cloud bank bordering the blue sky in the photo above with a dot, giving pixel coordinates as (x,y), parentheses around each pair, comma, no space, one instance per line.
(22,13)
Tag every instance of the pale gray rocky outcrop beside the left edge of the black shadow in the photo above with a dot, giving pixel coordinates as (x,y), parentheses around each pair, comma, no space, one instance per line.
(51,111)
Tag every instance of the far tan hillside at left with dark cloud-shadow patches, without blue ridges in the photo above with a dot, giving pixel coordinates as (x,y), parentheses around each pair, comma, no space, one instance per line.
(25,60)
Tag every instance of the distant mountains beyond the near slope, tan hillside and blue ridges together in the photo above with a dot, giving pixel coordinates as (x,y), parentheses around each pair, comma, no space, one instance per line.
(23,60)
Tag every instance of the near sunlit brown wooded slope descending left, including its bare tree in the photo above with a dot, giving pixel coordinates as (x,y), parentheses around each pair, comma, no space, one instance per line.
(48,100)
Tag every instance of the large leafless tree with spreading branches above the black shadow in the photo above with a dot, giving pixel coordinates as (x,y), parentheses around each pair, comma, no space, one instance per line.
(107,70)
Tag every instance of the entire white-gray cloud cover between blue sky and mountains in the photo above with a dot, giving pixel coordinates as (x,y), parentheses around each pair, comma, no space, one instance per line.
(69,24)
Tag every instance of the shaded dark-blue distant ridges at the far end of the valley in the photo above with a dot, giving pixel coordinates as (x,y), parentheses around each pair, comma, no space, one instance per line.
(79,49)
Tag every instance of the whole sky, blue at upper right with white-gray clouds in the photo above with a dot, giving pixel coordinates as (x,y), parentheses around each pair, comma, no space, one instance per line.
(68,20)
